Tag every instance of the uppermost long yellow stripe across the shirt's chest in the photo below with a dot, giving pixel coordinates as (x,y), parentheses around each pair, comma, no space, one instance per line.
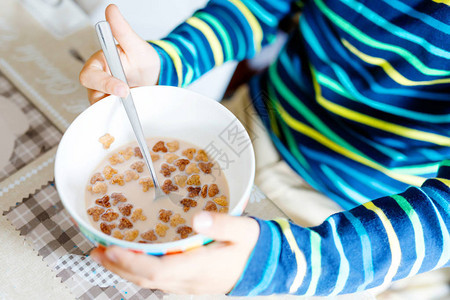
(389,69)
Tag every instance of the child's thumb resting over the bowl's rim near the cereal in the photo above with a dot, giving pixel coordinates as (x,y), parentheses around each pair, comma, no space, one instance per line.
(218,226)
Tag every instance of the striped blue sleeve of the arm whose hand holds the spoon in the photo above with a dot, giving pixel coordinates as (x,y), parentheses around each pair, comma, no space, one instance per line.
(222,31)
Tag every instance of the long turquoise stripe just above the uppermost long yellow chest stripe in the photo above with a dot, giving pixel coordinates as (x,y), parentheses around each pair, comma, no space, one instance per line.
(364,38)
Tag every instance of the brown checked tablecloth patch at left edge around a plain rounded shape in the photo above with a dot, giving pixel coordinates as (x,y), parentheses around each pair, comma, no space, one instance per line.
(39,138)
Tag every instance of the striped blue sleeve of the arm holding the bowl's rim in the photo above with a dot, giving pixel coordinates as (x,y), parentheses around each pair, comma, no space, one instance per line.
(371,245)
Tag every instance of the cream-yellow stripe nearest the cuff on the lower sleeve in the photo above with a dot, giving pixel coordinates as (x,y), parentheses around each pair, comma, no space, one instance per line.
(299,257)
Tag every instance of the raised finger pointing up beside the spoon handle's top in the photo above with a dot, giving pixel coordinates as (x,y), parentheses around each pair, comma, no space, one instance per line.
(122,31)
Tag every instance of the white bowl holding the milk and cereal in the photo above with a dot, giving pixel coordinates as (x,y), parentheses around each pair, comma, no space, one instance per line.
(164,112)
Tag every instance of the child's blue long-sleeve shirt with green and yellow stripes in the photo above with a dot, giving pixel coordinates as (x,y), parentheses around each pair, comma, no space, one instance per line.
(358,103)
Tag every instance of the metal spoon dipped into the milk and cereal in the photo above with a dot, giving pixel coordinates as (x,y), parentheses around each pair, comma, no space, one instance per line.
(109,48)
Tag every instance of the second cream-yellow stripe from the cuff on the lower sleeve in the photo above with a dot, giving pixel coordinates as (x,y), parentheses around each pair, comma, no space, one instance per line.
(394,244)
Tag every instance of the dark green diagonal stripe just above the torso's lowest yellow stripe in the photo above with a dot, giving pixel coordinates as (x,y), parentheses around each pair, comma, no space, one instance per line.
(303,110)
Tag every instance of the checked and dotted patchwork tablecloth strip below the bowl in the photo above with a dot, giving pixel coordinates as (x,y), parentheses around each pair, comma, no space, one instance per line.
(44,222)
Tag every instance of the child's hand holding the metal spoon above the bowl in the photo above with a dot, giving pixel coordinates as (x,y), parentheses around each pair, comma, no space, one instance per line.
(140,62)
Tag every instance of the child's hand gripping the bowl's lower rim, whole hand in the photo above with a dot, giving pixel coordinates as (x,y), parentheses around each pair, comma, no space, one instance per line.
(212,269)
